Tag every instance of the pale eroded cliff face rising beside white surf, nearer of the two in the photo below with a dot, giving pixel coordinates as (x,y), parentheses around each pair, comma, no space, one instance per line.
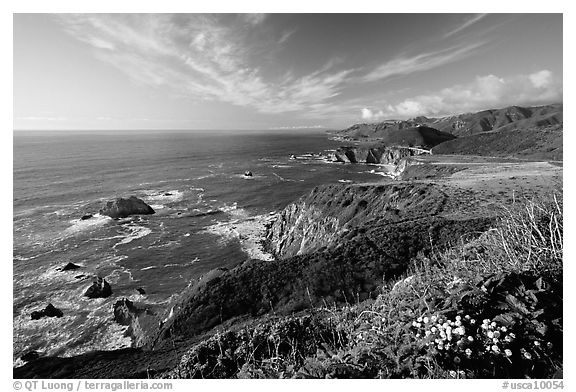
(324,216)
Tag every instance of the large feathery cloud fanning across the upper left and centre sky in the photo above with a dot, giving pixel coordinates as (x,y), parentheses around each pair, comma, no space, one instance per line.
(203,57)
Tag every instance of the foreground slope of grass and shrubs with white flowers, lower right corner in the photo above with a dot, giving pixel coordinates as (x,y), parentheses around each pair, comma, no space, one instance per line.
(505,284)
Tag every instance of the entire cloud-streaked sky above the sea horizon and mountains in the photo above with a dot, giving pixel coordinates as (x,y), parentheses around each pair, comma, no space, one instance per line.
(276,71)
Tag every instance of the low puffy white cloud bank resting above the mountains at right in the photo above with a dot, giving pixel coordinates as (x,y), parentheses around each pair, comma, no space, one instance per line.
(485,92)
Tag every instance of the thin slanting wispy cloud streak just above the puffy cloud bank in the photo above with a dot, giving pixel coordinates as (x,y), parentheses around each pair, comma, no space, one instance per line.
(404,65)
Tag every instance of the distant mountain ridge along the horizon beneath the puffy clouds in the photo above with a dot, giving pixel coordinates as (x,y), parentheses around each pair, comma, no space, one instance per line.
(509,118)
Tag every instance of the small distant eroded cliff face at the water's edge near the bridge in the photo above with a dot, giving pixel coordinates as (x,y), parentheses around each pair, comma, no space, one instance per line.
(375,155)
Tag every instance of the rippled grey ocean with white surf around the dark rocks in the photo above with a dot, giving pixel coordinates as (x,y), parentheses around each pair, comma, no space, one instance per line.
(208,215)
